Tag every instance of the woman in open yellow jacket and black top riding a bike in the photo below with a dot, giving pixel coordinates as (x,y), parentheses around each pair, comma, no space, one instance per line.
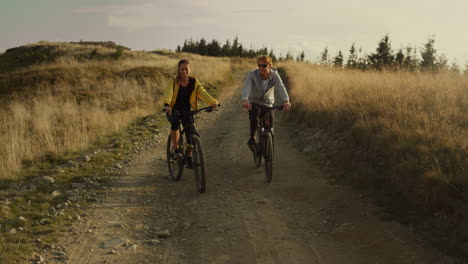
(182,94)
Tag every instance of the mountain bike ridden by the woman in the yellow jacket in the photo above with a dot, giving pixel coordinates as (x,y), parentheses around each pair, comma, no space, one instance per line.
(176,164)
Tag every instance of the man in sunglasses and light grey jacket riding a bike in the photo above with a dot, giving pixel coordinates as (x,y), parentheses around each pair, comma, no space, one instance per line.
(259,88)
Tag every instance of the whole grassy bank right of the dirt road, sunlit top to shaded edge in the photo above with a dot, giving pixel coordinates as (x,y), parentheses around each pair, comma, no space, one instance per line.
(402,136)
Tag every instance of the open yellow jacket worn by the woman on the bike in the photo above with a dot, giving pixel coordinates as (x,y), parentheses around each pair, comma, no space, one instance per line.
(170,95)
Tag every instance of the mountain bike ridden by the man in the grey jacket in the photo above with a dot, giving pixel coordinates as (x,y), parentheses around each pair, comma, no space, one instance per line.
(264,140)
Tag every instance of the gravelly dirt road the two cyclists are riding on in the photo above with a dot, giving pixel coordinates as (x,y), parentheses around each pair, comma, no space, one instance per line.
(297,218)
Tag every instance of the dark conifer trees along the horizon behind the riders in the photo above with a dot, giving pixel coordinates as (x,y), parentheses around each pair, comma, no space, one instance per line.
(383,58)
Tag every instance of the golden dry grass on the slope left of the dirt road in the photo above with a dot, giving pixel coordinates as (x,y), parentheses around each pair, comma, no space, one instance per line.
(65,105)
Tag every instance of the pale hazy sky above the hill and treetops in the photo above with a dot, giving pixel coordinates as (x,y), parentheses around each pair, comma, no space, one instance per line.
(285,26)
